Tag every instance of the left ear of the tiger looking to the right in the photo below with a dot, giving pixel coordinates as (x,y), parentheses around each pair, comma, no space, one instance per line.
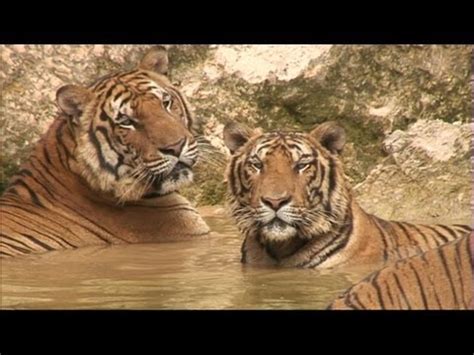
(72,99)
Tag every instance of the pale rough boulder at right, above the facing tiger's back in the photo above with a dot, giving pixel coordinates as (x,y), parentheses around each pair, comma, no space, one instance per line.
(426,178)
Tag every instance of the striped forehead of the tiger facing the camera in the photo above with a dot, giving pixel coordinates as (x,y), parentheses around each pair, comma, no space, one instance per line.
(293,144)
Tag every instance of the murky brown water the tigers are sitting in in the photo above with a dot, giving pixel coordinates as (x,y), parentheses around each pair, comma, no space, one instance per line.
(201,274)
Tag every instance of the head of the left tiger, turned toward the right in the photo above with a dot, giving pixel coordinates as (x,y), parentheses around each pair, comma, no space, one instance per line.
(133,131)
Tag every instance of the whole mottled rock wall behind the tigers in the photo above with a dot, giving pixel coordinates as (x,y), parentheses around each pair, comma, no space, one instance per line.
(406,159)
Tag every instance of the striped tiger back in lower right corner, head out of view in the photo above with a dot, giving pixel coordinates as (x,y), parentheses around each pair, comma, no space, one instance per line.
(440,278)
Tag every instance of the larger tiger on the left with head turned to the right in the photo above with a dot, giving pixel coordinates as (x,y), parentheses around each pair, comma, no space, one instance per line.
(109,168)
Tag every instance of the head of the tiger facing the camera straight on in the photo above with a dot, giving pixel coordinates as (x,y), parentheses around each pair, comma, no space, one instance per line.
(287,185)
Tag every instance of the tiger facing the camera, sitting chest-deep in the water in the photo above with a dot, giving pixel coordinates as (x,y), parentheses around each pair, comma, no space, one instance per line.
(290,199)
